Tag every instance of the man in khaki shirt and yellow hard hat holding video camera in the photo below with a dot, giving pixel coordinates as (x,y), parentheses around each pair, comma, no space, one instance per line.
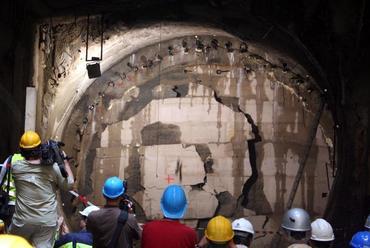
(36,183)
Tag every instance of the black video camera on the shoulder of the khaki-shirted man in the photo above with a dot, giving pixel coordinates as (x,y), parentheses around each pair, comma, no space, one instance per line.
(51,153)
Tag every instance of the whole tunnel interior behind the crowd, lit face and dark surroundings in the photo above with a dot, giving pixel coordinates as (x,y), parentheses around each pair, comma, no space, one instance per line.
(254,106)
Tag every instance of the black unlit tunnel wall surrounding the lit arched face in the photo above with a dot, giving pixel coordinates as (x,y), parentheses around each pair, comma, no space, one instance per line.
(339,45)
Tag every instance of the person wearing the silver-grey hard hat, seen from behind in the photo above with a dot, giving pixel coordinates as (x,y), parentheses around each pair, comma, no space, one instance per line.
(297,226)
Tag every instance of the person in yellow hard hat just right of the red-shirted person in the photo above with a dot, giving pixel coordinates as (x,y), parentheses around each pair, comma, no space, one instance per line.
(218,234)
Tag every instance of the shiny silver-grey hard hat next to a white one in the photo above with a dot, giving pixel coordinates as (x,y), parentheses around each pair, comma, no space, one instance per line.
(296,219)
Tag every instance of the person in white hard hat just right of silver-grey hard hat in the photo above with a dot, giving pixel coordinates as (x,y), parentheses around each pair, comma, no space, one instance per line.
(322,234)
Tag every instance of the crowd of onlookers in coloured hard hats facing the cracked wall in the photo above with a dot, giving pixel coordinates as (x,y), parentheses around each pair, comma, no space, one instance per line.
(31,216)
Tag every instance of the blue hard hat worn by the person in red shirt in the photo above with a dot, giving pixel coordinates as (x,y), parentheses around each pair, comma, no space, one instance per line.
(173,202)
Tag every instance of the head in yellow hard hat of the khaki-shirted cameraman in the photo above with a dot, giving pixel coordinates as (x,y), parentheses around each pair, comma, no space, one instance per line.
(30,145)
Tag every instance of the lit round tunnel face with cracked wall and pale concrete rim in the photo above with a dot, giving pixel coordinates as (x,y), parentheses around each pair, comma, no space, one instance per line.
(232,120)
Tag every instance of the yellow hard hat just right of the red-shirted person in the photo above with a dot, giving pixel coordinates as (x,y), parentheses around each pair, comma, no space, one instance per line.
(219,230)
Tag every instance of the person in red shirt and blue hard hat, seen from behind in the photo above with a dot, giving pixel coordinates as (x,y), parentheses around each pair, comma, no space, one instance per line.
(169,232)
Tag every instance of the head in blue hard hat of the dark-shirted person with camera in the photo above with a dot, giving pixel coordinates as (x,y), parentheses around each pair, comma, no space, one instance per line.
(113,190)
